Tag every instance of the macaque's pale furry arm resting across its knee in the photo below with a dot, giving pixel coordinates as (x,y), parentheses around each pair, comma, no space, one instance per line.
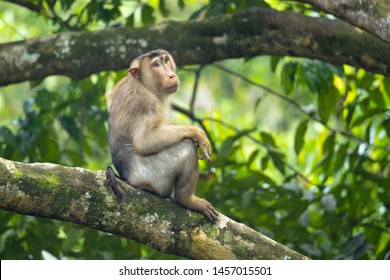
(150,139)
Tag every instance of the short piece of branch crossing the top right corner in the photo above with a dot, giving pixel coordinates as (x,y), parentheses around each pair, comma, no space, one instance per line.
(370,15)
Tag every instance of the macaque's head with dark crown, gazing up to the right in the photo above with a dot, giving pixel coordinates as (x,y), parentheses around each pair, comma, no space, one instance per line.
(156,71)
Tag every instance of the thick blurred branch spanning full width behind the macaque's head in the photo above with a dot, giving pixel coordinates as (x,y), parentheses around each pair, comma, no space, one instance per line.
(246,34)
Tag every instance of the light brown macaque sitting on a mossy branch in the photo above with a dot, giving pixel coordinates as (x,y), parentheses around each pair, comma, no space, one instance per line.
(148,152)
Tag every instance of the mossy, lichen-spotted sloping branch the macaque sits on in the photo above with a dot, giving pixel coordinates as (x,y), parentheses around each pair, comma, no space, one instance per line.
(82,197)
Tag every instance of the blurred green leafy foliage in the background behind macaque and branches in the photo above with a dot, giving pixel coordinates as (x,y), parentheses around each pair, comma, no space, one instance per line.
(299,144)
